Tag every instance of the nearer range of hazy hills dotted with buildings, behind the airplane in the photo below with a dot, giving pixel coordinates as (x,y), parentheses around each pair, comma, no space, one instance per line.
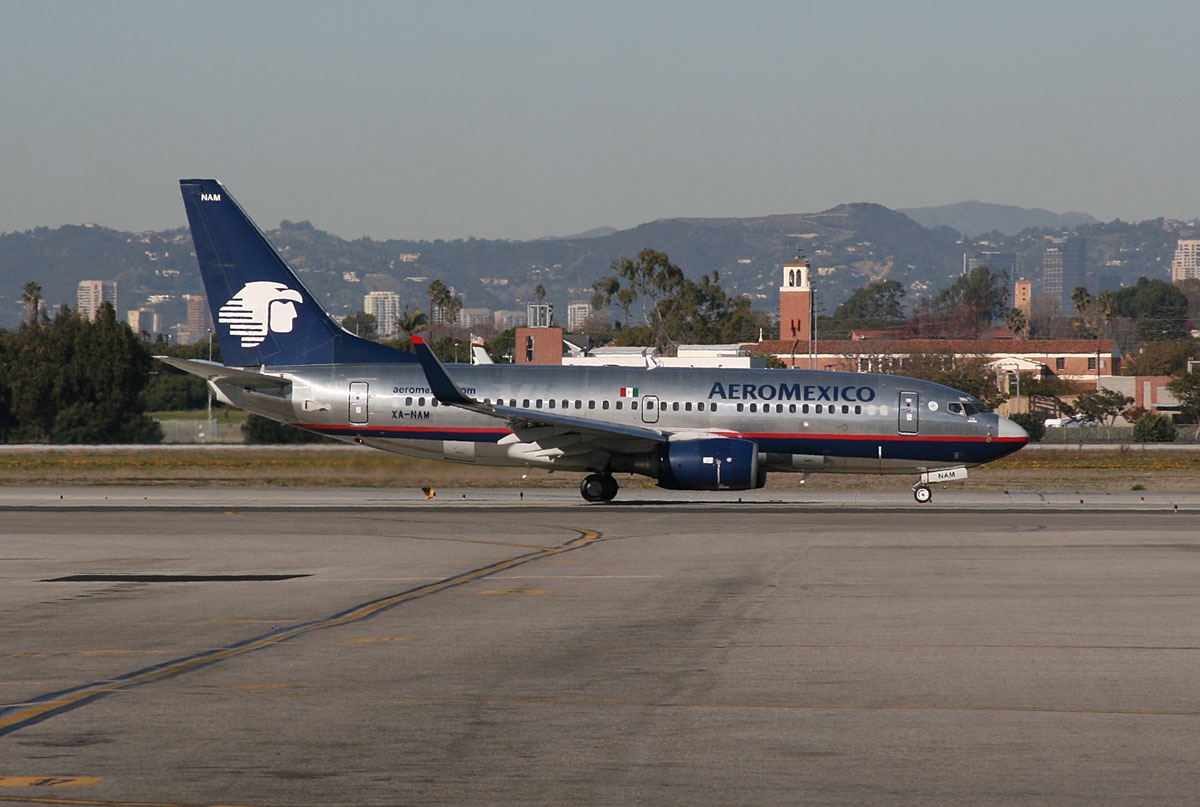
(848,246)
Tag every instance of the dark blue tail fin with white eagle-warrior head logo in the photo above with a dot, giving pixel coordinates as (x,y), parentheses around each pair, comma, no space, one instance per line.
(262,313)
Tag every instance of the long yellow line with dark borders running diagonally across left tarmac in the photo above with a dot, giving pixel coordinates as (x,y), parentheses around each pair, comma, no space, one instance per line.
(14,719)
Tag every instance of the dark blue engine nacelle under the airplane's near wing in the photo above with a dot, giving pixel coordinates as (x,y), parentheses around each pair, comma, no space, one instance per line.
(713,464)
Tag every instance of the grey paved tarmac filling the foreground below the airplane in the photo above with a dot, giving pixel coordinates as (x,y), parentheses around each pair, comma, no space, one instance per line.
(339,651)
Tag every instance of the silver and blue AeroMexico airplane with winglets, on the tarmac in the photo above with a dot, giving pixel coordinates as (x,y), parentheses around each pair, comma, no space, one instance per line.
(688,429)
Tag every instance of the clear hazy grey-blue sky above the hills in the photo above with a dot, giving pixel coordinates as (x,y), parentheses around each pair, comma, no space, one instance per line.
(518,121)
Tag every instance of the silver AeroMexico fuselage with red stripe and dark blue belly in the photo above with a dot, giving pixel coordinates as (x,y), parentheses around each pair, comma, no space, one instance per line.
(800,421)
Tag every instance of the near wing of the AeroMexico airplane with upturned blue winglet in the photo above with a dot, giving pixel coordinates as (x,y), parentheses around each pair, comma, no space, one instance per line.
(448,393)
